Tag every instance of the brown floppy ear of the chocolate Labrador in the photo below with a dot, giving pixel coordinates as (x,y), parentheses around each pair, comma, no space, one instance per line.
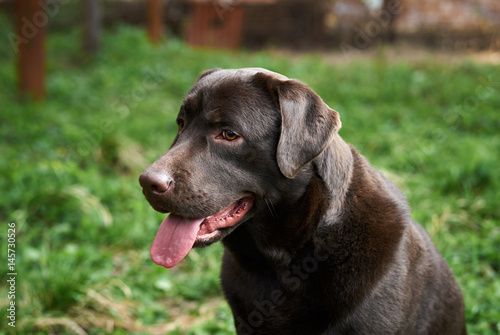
(307,123)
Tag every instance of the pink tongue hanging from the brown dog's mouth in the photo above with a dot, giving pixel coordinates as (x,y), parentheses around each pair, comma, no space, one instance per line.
(174,239)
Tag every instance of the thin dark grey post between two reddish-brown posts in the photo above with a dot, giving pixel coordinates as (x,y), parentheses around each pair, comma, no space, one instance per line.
(91,25)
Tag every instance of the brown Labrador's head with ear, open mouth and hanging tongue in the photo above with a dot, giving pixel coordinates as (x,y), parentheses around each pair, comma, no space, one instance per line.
(246,137)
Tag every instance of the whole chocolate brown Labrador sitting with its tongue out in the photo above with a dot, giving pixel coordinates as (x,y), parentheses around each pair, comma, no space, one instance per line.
(316,241)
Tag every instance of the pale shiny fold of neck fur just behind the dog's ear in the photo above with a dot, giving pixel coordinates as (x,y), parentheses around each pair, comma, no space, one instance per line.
(334,166)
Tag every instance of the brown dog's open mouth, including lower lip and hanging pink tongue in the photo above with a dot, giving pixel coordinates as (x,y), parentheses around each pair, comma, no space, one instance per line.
(177,235)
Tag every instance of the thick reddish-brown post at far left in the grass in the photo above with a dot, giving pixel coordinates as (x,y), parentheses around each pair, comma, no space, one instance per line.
(31,22)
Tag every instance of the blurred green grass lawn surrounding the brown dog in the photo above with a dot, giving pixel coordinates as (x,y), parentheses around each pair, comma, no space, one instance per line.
(70,166)
